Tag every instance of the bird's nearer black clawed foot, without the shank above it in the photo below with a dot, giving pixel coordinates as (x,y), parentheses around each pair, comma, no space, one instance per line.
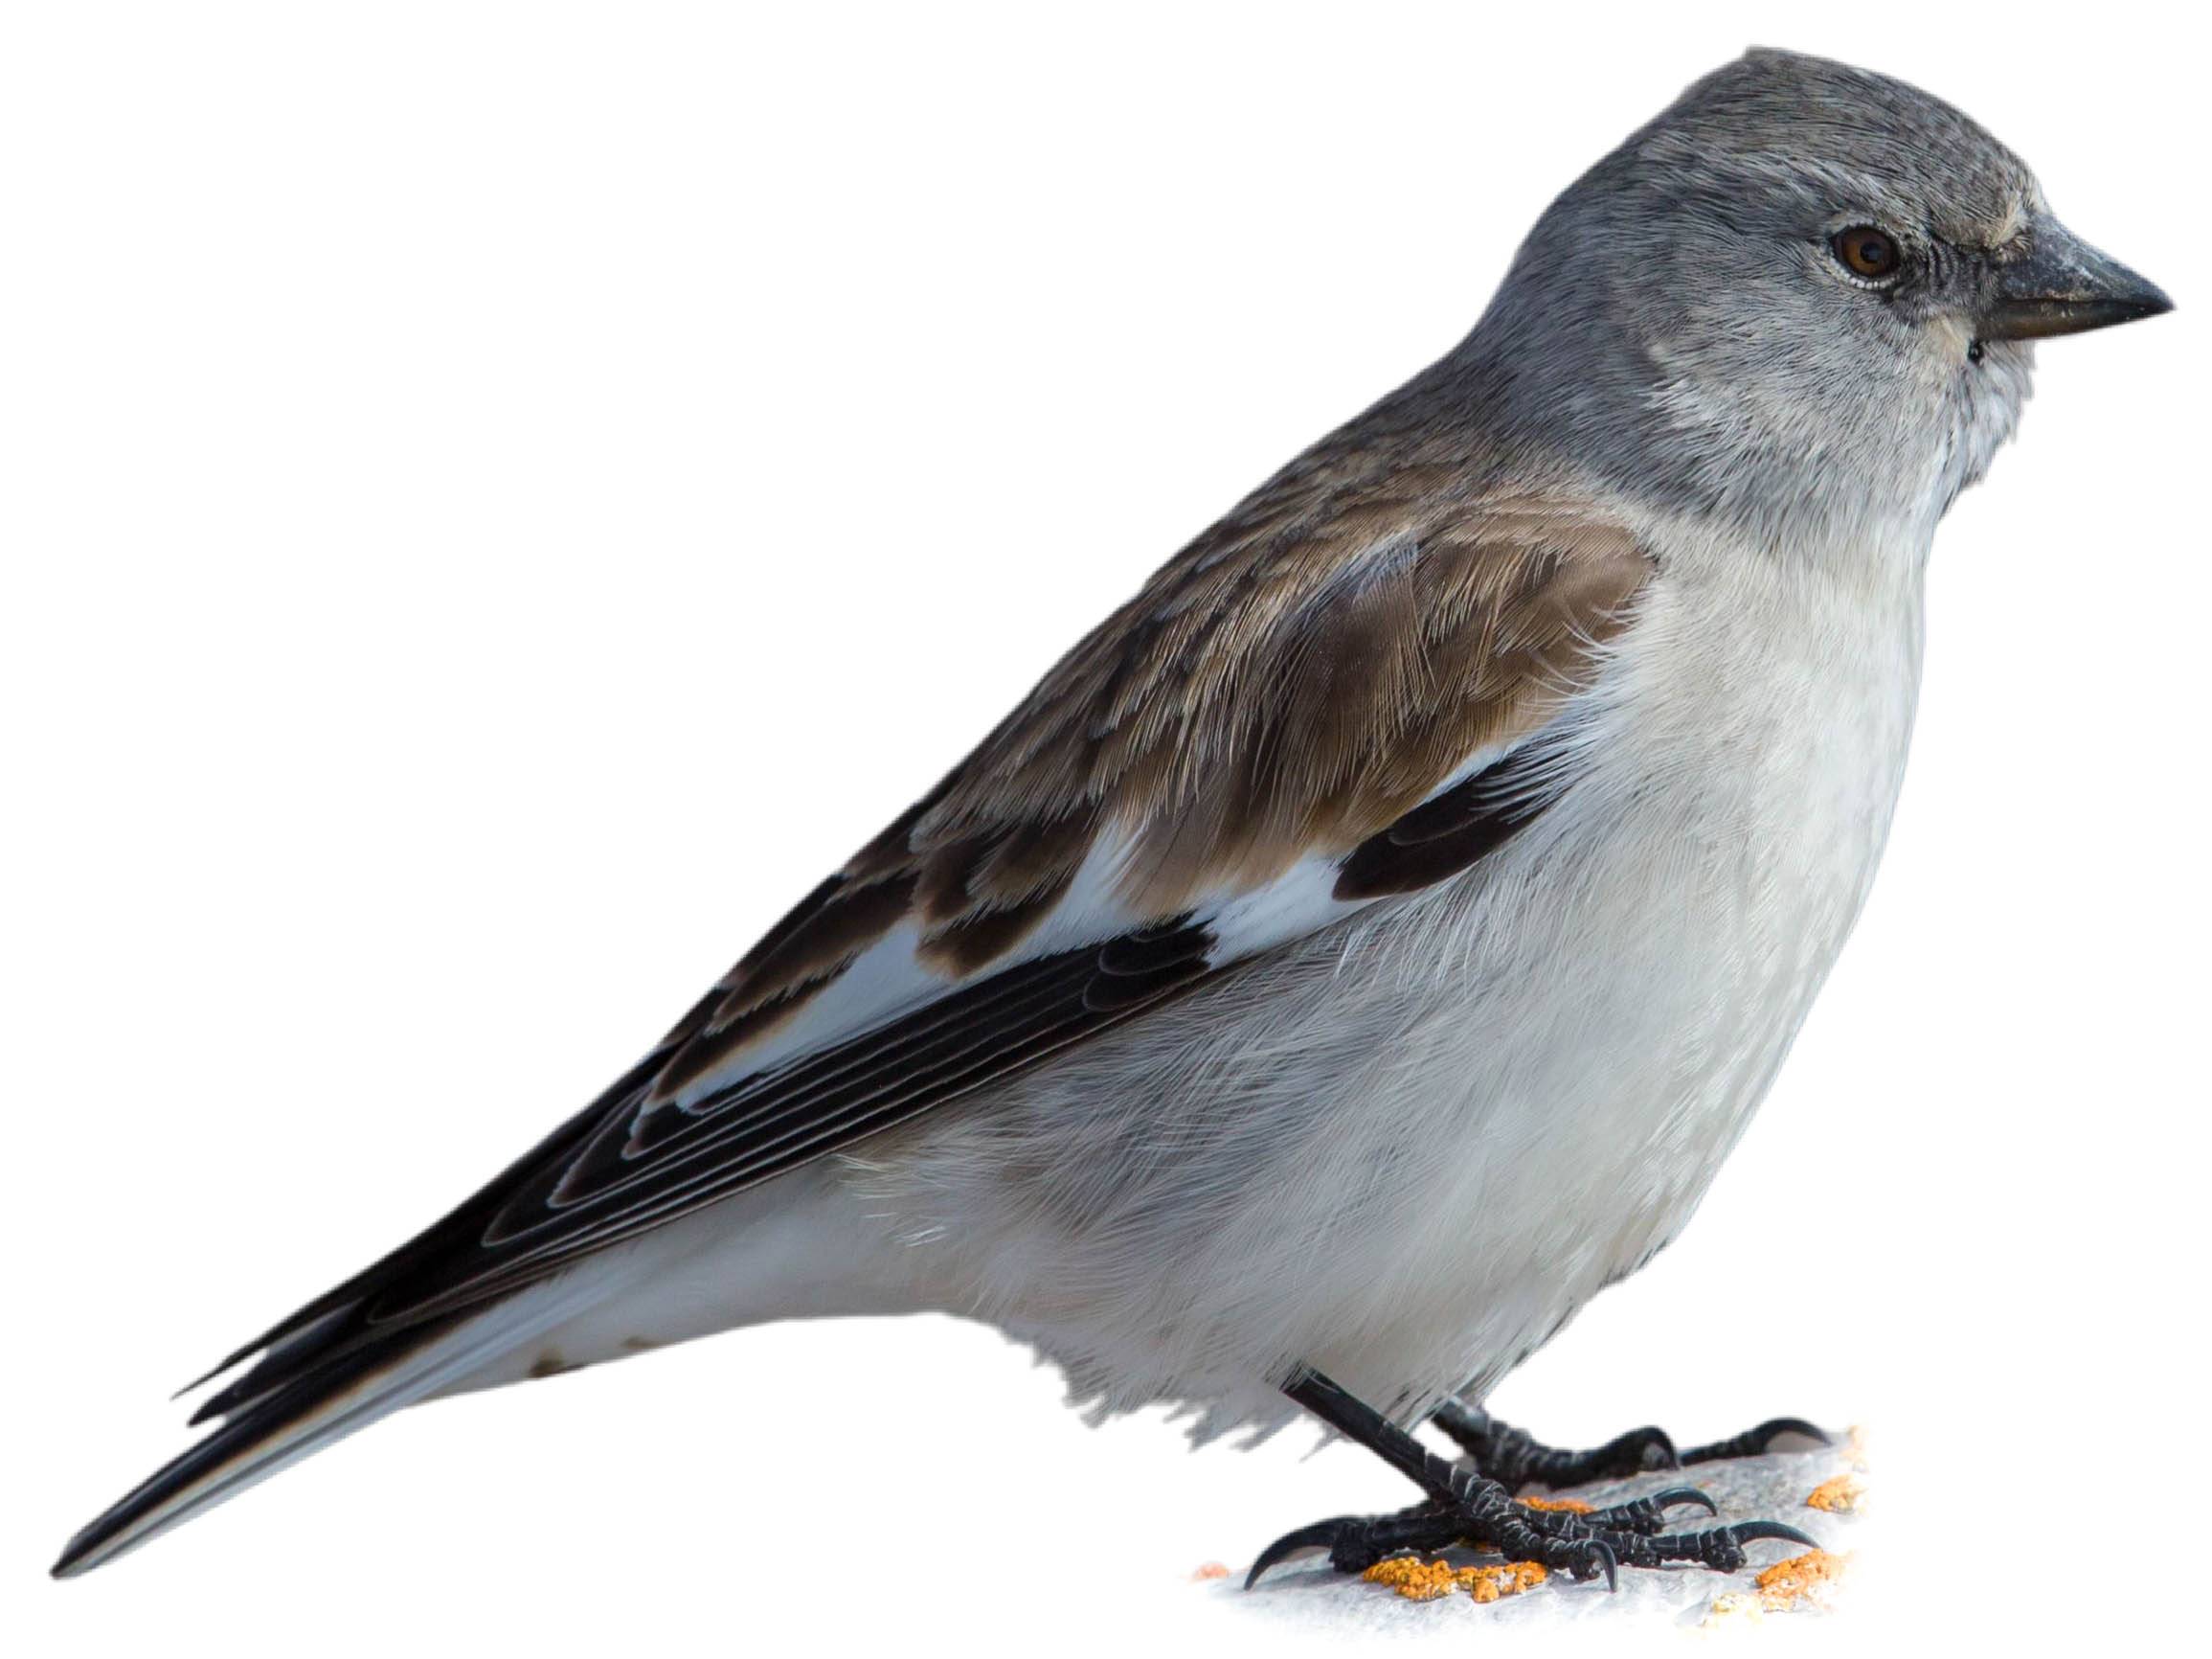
(1485,1516)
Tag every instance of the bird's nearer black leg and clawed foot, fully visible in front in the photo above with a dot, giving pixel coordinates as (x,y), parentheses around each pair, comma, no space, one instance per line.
(1468,1507)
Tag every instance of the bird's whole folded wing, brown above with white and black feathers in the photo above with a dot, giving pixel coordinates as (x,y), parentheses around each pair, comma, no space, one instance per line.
(1348,691)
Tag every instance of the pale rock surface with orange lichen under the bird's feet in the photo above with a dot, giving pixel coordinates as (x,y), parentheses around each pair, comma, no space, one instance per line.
(1773,1488)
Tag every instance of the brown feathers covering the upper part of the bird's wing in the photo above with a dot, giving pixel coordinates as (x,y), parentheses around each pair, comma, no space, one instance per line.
(1293,691)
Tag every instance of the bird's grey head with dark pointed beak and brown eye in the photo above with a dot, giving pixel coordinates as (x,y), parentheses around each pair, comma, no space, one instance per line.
(1802,298)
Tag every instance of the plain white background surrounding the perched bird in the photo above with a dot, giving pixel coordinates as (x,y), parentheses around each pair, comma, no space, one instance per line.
(499,501)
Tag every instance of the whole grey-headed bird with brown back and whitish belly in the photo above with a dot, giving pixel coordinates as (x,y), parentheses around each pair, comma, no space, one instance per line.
(1370,941)
